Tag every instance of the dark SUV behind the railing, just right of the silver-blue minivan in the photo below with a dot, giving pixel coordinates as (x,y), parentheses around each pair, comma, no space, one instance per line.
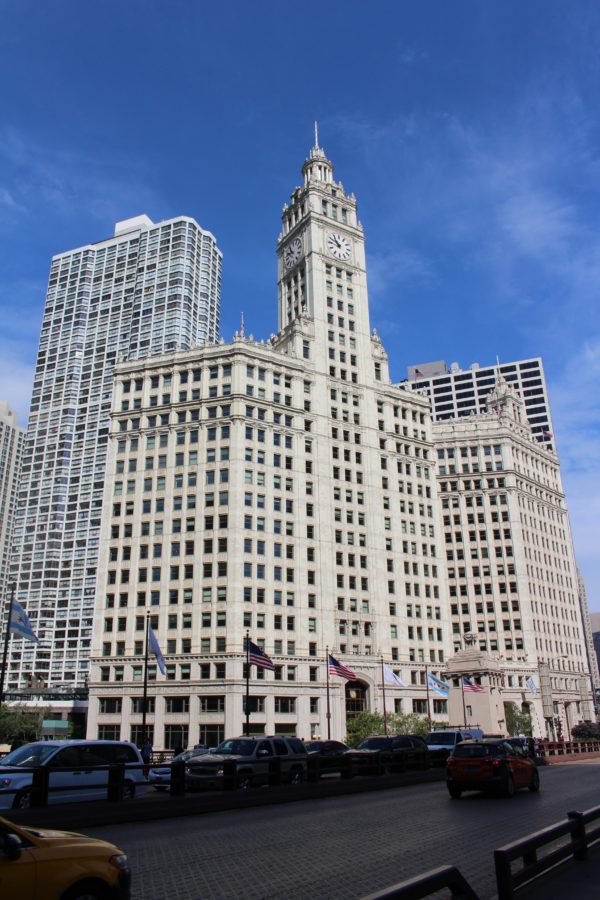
(253,758)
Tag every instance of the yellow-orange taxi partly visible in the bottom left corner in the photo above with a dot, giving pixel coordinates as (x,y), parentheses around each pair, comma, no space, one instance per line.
(36,864)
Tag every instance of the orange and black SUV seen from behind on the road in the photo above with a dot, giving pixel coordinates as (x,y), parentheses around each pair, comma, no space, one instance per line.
(489,765)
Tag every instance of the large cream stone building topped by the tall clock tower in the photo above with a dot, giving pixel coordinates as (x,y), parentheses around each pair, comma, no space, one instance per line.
(285,488)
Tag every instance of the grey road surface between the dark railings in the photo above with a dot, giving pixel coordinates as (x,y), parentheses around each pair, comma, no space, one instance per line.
(342,848)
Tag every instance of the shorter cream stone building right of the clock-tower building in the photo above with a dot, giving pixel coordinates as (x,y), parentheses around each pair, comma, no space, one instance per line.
(512,577)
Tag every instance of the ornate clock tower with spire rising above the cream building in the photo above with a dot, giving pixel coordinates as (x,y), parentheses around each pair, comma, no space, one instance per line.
(322,281)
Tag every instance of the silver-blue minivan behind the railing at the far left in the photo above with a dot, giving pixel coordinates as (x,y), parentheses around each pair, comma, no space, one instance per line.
(73,771)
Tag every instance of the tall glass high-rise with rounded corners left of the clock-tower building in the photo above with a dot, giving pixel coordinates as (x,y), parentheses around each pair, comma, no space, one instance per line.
(150,288)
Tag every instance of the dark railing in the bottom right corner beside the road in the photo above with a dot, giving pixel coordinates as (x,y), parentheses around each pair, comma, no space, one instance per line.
(572,836)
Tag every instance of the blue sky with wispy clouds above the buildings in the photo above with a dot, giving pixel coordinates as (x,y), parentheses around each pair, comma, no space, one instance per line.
(469,132)
